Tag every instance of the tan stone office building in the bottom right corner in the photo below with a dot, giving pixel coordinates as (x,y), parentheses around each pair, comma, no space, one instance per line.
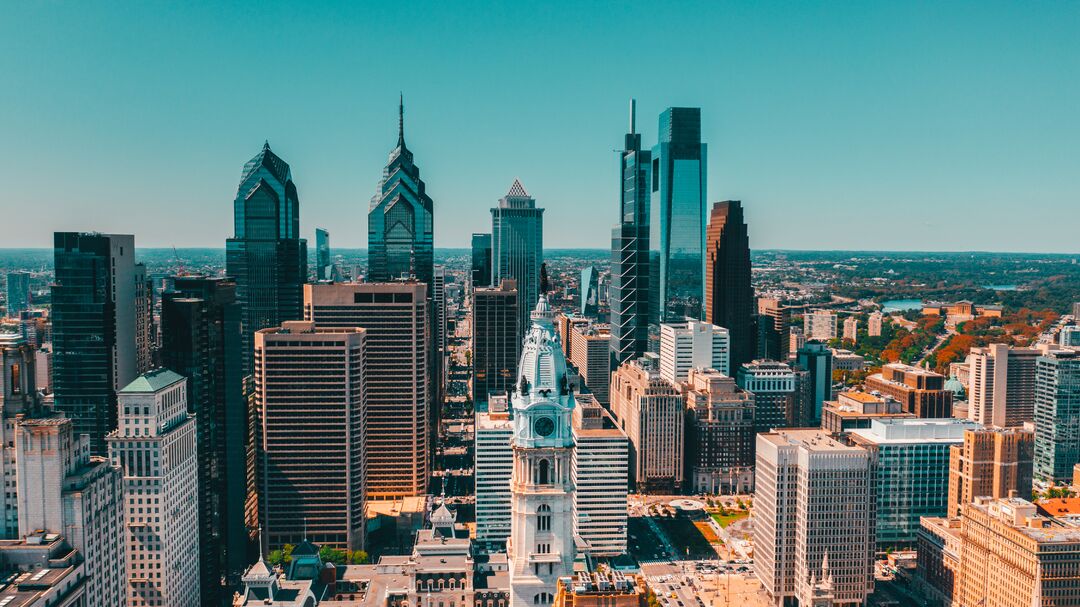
(1010,556)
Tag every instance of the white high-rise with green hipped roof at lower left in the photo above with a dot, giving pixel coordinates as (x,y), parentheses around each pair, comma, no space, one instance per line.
(155,443)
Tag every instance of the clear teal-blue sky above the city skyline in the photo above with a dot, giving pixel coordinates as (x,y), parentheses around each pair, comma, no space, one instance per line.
(899,126)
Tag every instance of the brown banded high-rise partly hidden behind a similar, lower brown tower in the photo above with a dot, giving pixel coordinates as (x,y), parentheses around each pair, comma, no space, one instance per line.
(400,421)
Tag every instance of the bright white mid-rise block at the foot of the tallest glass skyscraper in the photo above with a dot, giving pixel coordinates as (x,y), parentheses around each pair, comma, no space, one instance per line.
(693,345)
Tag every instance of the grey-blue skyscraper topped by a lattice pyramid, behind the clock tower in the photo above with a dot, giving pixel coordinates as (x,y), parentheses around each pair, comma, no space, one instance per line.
(518,247)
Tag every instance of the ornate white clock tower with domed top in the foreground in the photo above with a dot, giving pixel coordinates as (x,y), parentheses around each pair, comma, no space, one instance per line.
(542,546)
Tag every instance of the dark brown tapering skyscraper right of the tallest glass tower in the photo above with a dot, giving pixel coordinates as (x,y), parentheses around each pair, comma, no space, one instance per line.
(730,298)
